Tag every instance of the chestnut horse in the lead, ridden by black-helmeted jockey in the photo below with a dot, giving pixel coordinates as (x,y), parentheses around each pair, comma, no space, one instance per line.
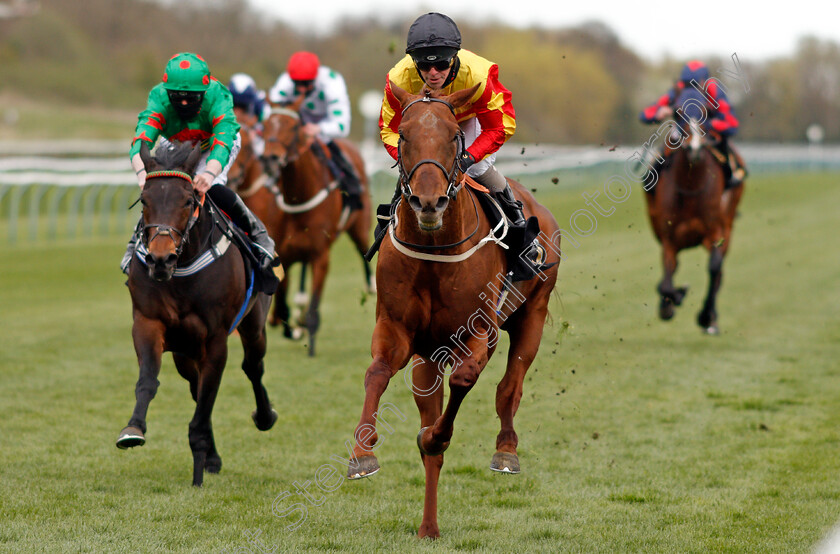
(436,312)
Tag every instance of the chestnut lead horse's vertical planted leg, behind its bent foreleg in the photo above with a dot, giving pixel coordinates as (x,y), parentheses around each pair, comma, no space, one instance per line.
(428,395)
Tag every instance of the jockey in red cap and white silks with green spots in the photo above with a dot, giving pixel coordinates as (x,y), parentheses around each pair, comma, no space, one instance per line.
(325,114)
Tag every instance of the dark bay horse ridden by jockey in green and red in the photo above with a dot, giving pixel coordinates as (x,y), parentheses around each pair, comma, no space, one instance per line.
(190,290)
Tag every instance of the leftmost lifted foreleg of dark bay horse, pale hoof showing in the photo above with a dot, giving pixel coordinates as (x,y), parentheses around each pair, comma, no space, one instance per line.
(148,344)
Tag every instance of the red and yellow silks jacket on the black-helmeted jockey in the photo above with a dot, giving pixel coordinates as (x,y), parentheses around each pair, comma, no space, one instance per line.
(491,104)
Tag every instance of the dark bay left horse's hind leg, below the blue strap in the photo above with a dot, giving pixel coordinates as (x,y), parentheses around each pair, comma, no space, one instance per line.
(252,334)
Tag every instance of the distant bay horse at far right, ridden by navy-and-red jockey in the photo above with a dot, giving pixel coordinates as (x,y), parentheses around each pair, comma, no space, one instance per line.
(689,207)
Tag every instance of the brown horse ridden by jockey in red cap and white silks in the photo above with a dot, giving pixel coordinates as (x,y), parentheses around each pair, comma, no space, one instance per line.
(313,212)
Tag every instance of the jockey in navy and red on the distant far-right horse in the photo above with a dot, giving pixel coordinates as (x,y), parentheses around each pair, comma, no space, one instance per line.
(722,120)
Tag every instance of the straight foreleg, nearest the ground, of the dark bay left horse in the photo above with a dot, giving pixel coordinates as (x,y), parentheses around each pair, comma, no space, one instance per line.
(202,443)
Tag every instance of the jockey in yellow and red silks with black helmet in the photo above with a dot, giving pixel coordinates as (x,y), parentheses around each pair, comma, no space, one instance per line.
(434,60)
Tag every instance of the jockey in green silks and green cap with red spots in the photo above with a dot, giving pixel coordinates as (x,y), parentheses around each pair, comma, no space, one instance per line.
(191,106)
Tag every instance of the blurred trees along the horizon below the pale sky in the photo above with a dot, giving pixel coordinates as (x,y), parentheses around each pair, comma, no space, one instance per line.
(574,86)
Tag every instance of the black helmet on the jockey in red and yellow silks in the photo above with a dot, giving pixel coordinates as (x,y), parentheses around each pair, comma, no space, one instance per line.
(434,37)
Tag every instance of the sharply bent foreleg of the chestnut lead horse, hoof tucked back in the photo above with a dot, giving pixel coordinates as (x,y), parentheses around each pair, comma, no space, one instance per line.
(469,361)
